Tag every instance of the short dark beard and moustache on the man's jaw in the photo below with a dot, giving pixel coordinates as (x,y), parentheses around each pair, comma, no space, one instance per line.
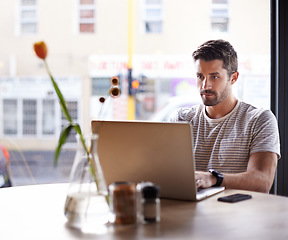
(214,97)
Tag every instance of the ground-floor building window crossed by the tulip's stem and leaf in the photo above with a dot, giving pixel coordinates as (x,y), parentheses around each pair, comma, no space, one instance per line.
(72,107)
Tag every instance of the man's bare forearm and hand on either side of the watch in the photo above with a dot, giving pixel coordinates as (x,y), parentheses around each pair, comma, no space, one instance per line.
(258,177)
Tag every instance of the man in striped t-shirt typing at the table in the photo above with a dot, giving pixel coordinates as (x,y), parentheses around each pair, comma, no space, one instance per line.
(236,145)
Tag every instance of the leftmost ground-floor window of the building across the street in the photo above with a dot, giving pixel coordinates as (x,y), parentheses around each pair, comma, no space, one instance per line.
(10,122)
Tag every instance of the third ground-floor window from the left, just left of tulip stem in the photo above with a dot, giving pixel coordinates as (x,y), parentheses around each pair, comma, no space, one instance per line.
(48,117)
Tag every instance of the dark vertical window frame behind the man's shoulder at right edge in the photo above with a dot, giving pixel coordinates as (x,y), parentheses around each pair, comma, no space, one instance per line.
(279,87)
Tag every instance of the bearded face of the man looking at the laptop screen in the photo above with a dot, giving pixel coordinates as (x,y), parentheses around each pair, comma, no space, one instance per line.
(212,81)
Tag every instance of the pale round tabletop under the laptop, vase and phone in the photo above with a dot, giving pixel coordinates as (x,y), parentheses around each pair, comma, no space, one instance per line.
(36,212)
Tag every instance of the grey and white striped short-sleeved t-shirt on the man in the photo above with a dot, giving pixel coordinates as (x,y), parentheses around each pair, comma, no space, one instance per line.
(225,144)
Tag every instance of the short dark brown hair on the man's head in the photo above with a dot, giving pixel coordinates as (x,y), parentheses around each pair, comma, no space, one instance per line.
(218,50)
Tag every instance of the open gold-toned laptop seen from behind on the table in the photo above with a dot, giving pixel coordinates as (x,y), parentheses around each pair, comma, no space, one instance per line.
(157,152)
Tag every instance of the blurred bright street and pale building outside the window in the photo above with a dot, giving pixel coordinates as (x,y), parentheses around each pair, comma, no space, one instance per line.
(147,44)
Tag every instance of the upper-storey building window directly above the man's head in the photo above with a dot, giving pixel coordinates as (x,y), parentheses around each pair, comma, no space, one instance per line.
(219,16)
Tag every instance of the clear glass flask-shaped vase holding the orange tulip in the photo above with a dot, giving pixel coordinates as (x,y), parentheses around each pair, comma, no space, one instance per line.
(86,206)
